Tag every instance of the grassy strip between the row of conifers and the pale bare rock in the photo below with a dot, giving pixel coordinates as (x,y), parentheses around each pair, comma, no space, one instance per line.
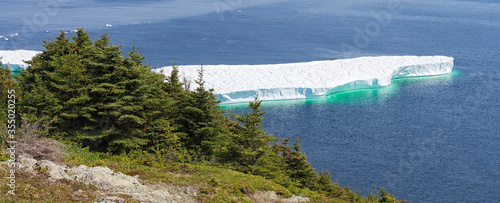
(215,184)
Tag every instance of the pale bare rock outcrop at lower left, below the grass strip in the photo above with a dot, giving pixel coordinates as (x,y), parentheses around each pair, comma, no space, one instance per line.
(110,182)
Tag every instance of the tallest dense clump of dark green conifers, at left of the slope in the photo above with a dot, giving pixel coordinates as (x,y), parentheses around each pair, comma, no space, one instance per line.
(100,98)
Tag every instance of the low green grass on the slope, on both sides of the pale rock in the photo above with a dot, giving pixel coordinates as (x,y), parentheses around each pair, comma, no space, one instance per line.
(214,184)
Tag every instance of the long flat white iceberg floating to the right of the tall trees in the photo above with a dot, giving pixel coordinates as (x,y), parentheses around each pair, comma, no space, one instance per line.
(241,83)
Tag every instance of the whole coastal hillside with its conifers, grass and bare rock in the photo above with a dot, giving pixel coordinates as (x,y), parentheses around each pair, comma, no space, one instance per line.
(120,130)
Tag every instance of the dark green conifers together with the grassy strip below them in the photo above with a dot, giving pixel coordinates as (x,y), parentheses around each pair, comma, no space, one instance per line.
(114,111)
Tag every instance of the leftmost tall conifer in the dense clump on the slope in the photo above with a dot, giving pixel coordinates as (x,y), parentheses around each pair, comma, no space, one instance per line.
(53,83)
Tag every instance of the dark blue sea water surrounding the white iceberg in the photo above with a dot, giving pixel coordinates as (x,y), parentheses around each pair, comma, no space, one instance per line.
(432,139)
